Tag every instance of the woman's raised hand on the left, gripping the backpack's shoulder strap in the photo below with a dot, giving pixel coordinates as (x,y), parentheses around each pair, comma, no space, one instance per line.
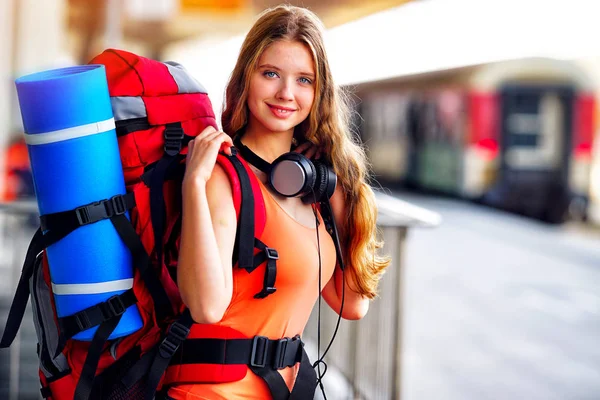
(202,155)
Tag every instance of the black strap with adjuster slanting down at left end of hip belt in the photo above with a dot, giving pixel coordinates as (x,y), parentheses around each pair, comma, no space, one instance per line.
(178,332)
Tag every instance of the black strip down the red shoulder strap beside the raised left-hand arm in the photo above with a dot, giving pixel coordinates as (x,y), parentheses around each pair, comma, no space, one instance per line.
(243,251)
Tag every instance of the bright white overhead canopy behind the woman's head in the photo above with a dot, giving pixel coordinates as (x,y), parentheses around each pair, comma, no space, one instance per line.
(428,35)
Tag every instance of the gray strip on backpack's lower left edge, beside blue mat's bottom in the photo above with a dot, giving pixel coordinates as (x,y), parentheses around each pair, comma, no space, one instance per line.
(45,325)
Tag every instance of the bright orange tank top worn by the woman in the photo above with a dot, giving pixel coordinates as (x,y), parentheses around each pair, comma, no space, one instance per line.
(282,314)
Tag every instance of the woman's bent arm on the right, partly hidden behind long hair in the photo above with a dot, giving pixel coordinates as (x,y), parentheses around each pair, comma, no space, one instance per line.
(355,305)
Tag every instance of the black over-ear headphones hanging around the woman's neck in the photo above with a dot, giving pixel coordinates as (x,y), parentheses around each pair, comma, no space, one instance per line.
(294,175)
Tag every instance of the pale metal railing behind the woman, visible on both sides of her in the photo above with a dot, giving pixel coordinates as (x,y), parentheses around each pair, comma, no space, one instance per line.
(366,356)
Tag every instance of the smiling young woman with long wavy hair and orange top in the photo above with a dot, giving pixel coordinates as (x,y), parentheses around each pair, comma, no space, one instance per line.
(281,93)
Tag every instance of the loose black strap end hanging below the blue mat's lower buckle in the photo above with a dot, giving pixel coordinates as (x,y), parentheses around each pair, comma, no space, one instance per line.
(88,371)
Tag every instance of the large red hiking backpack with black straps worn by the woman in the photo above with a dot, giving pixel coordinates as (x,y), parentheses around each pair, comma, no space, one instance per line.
(158,108)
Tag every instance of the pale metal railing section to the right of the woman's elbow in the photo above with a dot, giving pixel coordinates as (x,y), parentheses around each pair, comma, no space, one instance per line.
(365,360)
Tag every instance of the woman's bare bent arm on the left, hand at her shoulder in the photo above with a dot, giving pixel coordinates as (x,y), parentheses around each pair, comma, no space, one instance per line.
(204,272)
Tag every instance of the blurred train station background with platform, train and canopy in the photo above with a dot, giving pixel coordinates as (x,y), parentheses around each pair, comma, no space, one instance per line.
(480,118)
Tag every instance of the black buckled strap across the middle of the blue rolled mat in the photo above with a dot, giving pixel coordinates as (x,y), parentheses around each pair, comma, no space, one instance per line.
(88,214)
